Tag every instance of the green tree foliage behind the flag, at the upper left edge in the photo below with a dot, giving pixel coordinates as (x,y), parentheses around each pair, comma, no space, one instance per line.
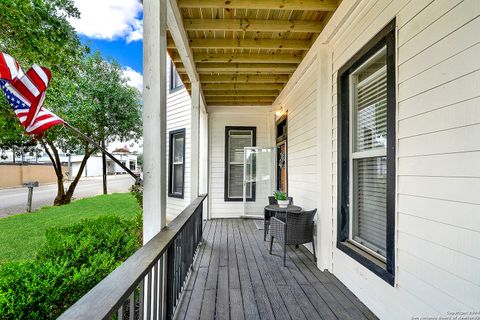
(37,31)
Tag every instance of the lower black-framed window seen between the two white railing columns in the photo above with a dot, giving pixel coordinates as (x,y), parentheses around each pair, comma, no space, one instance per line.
(176,163)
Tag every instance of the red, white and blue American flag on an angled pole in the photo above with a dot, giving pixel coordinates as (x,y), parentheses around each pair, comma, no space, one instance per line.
(26,94)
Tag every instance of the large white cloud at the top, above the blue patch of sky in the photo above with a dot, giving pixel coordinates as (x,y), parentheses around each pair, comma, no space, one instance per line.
(109,19)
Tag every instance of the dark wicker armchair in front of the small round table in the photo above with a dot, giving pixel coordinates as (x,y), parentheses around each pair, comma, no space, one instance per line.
(297,229)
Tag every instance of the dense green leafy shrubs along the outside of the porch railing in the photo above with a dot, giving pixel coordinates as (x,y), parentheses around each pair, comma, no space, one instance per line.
(71,262)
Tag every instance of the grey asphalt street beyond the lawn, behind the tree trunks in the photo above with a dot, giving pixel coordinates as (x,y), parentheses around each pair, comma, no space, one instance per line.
(14,200)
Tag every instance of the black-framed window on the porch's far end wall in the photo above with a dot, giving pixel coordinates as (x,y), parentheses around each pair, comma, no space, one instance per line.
(236,139)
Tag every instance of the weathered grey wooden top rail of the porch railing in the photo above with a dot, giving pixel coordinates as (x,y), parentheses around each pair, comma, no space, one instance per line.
(107,296)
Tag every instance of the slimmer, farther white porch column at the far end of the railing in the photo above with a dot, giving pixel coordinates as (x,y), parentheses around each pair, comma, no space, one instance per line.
(195,138)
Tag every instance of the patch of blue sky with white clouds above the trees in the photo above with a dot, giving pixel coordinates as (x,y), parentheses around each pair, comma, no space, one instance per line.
(115,28)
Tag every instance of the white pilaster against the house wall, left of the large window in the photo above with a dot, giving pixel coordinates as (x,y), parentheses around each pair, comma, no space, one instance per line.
(325,236)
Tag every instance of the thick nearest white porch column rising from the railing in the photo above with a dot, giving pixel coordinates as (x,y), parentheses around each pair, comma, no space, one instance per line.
(154,116)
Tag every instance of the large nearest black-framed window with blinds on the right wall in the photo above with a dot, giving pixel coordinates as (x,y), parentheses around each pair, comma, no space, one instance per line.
(366,174)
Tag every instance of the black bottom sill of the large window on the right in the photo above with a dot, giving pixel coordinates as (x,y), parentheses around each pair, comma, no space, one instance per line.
(367,260)
